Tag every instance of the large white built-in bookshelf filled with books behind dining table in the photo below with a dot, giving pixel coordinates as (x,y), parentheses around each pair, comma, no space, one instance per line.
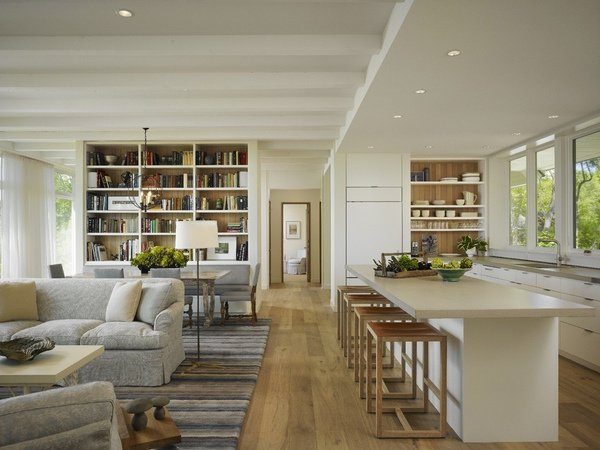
(195,180)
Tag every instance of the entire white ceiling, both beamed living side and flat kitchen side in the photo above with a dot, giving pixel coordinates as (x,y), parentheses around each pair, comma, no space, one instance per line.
(292,73)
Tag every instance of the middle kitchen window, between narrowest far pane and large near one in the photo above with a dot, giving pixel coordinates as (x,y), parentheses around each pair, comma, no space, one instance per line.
(545,197)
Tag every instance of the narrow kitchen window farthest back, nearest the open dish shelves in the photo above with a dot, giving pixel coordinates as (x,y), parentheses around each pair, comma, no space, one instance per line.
(518,201)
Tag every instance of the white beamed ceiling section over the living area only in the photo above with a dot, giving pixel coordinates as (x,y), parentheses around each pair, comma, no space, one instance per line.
(275,71)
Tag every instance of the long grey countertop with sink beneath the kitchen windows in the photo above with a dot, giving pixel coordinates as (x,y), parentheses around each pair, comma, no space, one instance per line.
(575,273)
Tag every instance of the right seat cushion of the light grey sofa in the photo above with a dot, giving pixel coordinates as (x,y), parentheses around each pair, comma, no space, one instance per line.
(125,336)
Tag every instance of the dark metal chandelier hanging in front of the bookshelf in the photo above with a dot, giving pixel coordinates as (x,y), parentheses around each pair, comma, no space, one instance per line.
(143,181)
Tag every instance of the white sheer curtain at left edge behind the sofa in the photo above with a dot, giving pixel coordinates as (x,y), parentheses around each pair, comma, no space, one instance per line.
(28,216)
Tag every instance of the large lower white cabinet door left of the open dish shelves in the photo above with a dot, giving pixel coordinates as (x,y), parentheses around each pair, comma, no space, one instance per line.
(372,229)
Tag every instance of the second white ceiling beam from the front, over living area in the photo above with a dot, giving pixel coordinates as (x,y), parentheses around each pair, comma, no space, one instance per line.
(196,81)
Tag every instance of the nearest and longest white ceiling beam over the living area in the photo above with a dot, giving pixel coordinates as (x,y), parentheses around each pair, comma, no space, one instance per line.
(224,45)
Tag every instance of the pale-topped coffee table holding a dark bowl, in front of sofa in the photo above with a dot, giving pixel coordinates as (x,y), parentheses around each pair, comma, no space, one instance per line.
(48,368)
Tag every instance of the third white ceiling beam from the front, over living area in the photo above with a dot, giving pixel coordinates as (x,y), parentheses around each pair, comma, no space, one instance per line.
(90,105)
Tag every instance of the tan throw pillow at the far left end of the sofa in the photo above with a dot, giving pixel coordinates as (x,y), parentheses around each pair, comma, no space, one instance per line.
(18,301)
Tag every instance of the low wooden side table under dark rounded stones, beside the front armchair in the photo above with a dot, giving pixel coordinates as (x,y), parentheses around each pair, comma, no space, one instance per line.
(157,434)
